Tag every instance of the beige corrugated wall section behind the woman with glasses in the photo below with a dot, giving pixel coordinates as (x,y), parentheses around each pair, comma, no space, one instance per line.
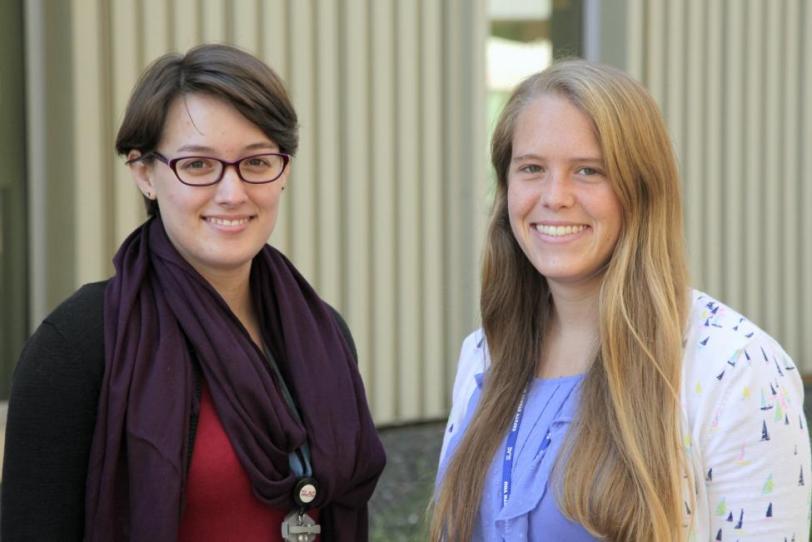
(384,212)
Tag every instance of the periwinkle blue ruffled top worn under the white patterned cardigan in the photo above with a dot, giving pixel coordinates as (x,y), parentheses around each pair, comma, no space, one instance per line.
(531,511)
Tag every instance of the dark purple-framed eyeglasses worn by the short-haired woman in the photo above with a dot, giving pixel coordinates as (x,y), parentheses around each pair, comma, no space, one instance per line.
(206,171)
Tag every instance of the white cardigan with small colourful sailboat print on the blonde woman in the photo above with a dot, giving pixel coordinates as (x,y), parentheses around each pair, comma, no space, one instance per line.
(744,427)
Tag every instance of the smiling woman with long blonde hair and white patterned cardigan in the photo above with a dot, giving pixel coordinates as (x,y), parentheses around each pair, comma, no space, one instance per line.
(603,398)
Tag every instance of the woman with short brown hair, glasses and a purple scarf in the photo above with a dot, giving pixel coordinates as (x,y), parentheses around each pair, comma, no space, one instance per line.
(205,391)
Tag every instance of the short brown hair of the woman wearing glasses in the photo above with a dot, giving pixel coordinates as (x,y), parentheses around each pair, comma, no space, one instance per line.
(221,71)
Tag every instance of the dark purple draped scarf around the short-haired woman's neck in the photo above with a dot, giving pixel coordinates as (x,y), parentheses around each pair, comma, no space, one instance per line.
(157,308)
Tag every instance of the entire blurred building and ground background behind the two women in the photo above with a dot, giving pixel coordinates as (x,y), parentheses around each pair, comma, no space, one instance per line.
(390,191)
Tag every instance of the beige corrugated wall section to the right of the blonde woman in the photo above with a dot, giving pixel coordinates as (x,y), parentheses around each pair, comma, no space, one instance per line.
(734,79)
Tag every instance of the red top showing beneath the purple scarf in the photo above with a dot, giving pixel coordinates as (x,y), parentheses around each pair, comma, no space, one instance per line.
(220,505)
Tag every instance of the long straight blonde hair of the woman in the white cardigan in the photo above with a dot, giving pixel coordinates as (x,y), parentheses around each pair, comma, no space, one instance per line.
(625,481)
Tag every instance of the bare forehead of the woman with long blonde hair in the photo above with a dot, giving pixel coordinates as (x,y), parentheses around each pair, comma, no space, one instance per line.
(554,124)
